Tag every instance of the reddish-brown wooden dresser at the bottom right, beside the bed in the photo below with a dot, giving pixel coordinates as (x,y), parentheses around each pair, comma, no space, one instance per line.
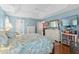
(60,48)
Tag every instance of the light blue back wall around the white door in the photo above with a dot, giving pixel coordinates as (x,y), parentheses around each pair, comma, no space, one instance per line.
(27,22)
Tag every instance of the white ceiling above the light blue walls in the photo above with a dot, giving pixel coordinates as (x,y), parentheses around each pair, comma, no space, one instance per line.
(38,11)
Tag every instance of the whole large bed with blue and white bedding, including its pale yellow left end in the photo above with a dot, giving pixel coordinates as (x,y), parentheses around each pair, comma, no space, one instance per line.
(28,44)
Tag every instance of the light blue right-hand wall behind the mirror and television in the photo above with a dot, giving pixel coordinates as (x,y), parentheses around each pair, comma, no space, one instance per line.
(65,16)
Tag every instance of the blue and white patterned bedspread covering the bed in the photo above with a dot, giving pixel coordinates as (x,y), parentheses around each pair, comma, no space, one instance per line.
(32,44)
